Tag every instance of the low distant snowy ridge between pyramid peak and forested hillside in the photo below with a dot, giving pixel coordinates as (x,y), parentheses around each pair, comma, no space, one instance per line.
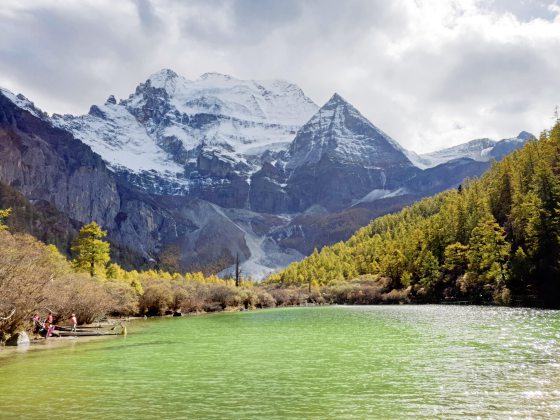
(481,150)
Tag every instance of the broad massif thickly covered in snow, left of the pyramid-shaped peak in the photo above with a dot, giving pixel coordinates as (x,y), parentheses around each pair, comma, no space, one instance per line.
(175,129)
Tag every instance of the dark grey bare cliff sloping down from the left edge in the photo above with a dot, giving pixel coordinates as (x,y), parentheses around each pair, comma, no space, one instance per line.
(45,163)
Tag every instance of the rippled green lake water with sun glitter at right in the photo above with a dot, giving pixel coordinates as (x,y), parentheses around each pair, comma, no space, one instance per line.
(317,362)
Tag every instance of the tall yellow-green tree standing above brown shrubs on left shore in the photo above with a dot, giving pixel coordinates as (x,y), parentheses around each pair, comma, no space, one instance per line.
(92,253)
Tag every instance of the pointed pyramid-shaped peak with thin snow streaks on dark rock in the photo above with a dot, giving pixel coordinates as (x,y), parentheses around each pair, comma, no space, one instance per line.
(339,157)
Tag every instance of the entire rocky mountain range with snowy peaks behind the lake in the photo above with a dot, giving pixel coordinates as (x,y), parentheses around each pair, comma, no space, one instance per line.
(190,174)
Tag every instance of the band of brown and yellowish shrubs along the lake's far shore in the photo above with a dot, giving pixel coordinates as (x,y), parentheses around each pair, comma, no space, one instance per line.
(35,277)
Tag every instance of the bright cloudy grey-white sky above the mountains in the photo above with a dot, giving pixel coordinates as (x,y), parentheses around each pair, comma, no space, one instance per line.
(430,73)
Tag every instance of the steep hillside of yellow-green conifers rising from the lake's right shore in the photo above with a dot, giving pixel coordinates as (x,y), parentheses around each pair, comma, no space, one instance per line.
(494,239)
